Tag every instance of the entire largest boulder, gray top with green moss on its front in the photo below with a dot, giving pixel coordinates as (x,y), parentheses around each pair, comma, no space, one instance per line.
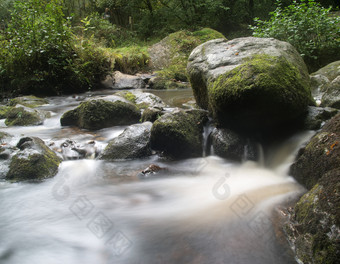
(250,83)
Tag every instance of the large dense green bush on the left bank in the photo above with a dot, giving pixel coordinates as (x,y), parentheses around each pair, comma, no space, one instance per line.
(40,55)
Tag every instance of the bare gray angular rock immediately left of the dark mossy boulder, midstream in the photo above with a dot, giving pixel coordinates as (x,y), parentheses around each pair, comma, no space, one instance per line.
(133,143)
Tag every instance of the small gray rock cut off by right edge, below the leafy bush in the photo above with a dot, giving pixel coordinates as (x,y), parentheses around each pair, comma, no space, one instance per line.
(331,96)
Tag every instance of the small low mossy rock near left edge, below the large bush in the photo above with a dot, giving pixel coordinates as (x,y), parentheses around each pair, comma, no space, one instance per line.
(24,116)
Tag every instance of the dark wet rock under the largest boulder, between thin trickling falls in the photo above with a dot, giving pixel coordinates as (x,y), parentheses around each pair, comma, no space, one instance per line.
(230,145)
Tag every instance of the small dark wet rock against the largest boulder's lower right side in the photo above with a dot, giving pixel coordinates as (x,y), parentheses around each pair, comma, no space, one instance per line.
(317,116)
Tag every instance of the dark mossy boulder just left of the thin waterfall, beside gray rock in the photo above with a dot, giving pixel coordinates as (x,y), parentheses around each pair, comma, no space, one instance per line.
(179,134)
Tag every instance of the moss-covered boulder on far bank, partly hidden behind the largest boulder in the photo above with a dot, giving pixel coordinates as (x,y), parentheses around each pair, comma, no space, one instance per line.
(169,56)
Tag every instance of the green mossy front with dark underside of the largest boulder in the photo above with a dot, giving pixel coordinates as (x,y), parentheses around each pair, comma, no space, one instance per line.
(262,93)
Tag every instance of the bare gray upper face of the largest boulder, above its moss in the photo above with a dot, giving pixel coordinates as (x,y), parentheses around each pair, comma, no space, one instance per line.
(216,57)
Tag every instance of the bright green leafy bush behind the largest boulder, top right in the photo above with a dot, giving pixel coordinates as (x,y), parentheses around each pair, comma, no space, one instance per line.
(308,27)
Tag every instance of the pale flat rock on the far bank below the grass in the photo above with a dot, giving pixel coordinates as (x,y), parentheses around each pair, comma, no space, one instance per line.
(124,81)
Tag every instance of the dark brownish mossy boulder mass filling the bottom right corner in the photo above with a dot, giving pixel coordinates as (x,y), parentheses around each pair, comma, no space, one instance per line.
(314,226)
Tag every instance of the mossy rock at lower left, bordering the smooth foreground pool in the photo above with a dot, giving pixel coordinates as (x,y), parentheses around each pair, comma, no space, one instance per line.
(34,161)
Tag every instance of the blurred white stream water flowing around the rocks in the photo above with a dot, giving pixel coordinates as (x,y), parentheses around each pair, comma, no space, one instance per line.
(203,210)
